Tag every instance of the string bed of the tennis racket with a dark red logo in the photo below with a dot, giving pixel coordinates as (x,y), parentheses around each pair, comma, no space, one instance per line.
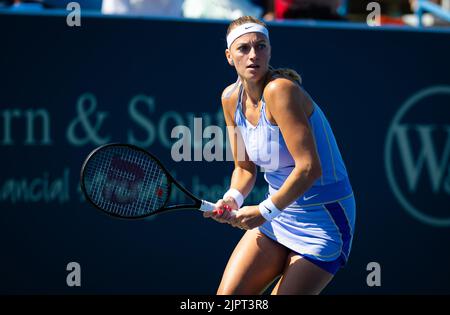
(126,182)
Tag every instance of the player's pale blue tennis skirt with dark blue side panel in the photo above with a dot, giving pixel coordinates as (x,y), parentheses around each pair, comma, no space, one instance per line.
(321,233)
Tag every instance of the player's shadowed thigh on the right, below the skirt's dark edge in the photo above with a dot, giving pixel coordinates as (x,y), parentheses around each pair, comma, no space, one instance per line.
(301,276)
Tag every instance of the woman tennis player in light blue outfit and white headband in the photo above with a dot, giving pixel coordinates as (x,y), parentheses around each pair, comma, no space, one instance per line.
(302,232)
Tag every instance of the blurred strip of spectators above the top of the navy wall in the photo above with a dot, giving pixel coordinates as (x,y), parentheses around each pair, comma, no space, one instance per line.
(401,12)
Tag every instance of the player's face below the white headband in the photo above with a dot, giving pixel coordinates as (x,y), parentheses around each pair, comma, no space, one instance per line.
(250,54)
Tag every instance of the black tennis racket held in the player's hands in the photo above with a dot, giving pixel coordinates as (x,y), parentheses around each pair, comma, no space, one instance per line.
(128,182)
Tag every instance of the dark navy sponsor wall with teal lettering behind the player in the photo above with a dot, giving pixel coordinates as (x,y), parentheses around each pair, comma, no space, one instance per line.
(66,90)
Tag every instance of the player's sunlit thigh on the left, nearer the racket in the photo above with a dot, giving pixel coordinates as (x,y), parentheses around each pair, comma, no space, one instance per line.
(255,263)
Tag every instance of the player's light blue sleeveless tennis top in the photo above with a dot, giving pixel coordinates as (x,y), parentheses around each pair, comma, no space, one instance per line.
(266,147)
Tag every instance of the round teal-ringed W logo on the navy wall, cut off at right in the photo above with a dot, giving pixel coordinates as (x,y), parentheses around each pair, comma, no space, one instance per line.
(417,156)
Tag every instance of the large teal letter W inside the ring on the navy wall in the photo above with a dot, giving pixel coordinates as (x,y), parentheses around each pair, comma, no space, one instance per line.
(426,158)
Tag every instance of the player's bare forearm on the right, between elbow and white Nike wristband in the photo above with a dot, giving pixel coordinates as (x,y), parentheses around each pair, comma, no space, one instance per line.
(296,184)
